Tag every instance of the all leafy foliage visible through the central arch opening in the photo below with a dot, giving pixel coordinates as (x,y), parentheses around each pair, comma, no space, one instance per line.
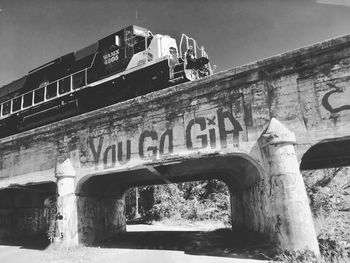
(202,200)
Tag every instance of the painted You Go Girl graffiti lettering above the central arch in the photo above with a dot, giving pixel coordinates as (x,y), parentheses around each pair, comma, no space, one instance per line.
(217,131)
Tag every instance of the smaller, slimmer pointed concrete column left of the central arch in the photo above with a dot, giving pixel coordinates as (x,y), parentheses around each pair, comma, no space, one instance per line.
(66,218)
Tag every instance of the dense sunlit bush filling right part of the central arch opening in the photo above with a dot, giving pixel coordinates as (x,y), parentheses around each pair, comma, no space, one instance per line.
(203,200)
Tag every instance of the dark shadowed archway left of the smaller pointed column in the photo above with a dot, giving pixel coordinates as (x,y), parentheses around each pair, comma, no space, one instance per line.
(25,215)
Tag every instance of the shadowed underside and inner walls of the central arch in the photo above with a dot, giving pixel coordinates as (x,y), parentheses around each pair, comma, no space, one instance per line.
(101,198)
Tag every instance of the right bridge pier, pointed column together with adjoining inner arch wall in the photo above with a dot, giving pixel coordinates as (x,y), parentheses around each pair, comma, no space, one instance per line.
(277,204)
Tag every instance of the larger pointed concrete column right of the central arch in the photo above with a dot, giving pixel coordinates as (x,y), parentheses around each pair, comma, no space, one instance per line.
(287,206)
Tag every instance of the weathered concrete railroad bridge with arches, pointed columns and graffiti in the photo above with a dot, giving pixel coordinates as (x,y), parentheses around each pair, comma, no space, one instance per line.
(253,127)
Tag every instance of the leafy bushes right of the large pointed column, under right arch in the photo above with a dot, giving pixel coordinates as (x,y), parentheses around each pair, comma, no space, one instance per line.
(328,191)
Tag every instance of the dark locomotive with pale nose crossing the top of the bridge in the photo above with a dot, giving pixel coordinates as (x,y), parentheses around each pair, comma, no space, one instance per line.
(123,65)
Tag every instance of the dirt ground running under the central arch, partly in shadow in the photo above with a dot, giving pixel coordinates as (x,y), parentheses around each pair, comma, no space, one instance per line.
(146,243)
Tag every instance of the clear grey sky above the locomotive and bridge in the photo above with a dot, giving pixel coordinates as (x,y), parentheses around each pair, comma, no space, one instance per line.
(234,32)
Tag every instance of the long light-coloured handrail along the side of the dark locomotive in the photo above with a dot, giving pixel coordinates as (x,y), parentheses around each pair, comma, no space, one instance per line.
(58,95)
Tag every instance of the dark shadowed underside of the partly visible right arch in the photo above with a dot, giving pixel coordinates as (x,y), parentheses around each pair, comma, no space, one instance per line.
(327,154)
